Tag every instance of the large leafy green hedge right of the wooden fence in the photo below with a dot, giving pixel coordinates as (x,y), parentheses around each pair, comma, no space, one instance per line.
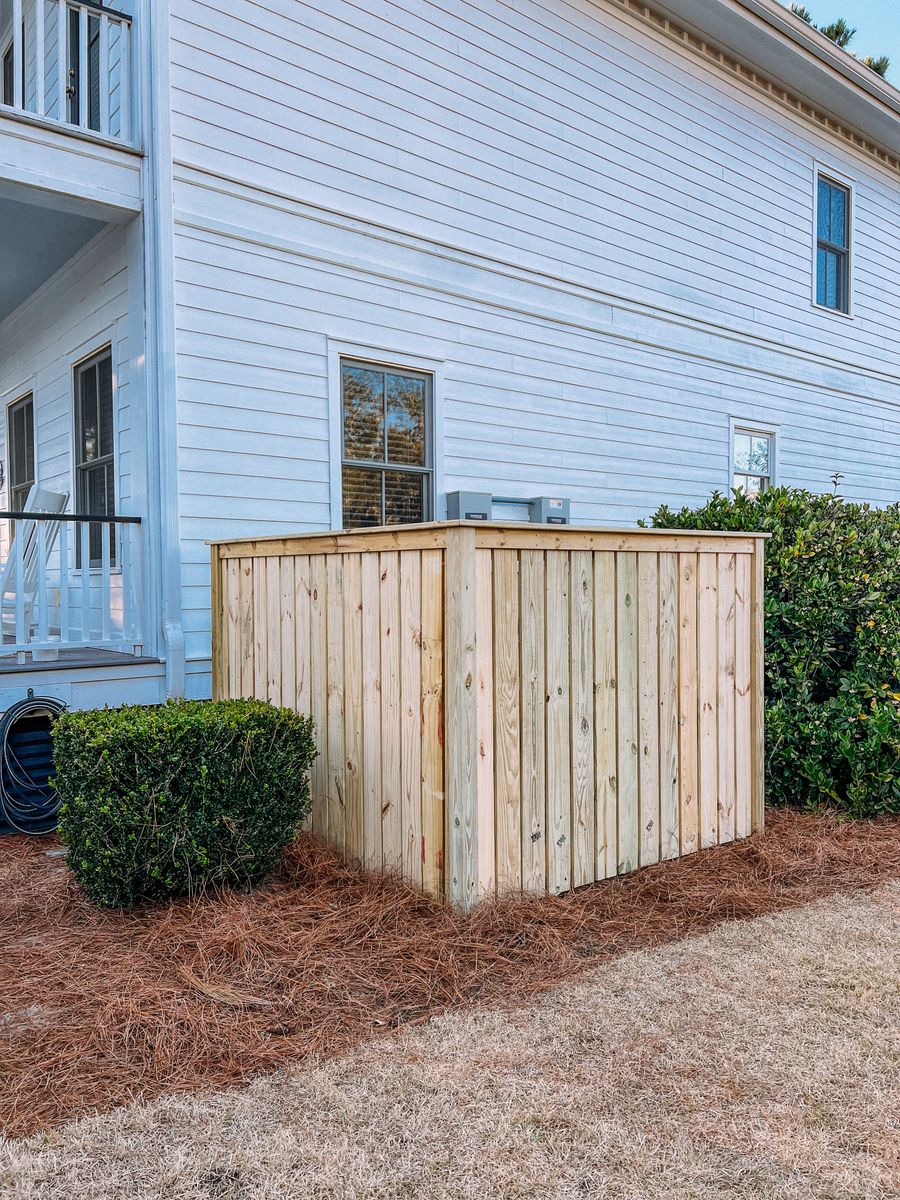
(832,644)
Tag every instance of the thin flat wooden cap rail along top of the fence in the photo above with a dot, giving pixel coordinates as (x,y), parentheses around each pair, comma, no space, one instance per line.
(520,529)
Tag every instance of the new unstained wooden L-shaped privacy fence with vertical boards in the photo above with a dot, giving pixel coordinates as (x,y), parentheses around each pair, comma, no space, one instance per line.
(509,707)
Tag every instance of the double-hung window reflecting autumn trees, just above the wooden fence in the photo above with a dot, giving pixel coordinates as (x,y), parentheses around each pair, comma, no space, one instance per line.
(387,472)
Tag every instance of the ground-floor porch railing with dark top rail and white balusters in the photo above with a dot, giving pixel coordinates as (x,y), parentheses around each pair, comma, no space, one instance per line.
(73,580)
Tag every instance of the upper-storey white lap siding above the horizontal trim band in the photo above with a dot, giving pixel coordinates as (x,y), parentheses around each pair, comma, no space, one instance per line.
(559,135)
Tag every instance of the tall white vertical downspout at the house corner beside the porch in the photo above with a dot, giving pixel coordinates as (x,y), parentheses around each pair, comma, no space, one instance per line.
(160,315)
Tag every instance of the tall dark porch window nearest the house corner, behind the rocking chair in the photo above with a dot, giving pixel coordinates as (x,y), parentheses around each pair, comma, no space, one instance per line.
(95,464)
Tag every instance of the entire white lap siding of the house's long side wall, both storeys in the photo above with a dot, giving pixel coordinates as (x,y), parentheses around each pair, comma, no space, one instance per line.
(604,242)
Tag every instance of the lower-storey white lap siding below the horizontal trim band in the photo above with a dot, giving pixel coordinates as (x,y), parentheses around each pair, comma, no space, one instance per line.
(531,405)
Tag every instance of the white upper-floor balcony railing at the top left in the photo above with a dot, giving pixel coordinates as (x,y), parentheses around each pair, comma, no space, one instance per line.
(69,63)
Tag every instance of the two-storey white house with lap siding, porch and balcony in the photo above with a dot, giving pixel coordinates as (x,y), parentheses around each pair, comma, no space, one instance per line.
(289,265)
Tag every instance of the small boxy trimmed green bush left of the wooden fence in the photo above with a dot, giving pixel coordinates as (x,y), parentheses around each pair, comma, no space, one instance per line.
(169,801)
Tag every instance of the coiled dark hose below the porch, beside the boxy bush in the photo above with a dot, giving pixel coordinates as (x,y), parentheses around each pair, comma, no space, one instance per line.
(28,803)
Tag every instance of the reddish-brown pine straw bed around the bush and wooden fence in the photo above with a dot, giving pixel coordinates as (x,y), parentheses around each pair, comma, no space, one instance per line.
(98,1009)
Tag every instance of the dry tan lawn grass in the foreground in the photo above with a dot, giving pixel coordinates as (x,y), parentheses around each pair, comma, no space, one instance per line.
(758,1063)
